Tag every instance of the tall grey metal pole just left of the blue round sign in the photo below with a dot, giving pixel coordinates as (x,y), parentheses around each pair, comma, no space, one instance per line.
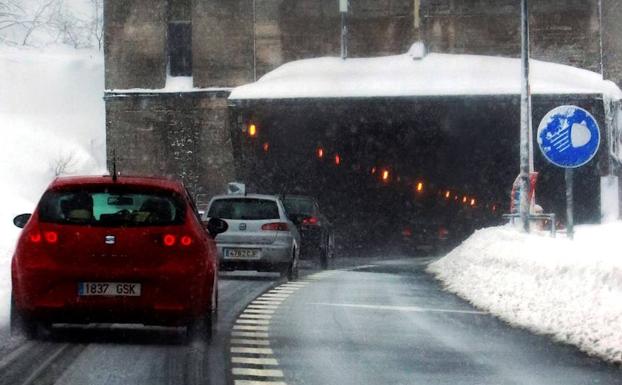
(526,152)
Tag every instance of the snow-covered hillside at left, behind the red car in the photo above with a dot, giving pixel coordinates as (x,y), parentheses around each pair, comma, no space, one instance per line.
(53,121)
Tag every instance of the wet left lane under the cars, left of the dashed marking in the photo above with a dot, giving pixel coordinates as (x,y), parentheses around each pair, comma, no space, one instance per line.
(130,355)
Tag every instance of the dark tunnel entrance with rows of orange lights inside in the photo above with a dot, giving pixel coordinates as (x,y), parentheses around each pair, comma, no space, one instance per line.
(377,166)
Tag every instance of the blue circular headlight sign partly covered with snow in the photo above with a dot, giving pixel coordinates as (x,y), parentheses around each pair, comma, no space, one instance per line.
(568,136)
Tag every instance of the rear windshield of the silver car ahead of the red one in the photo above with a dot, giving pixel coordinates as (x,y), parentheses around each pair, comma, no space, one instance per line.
(244,209)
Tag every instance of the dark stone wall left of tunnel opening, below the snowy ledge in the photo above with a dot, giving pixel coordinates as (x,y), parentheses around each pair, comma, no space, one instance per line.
(183,135)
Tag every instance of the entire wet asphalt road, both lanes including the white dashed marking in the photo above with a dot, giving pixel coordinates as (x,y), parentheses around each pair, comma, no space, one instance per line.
(379,323)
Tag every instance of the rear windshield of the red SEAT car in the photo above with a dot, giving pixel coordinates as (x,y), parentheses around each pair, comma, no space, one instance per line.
(112,206)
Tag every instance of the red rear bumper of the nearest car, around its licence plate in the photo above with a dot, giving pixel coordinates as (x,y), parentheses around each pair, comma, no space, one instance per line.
(168,297)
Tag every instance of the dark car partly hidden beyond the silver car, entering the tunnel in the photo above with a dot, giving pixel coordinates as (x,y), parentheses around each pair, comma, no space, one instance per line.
(316,230)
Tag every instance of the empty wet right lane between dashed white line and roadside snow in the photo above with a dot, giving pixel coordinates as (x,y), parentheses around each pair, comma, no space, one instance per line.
(391,323)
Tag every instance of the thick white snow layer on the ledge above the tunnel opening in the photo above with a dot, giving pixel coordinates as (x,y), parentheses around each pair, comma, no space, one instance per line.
(409,75)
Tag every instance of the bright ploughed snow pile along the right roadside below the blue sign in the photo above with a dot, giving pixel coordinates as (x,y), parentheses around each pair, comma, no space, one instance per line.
(571,290)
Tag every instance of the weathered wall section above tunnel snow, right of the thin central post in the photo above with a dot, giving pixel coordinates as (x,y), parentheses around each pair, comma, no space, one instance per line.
(562,31)
